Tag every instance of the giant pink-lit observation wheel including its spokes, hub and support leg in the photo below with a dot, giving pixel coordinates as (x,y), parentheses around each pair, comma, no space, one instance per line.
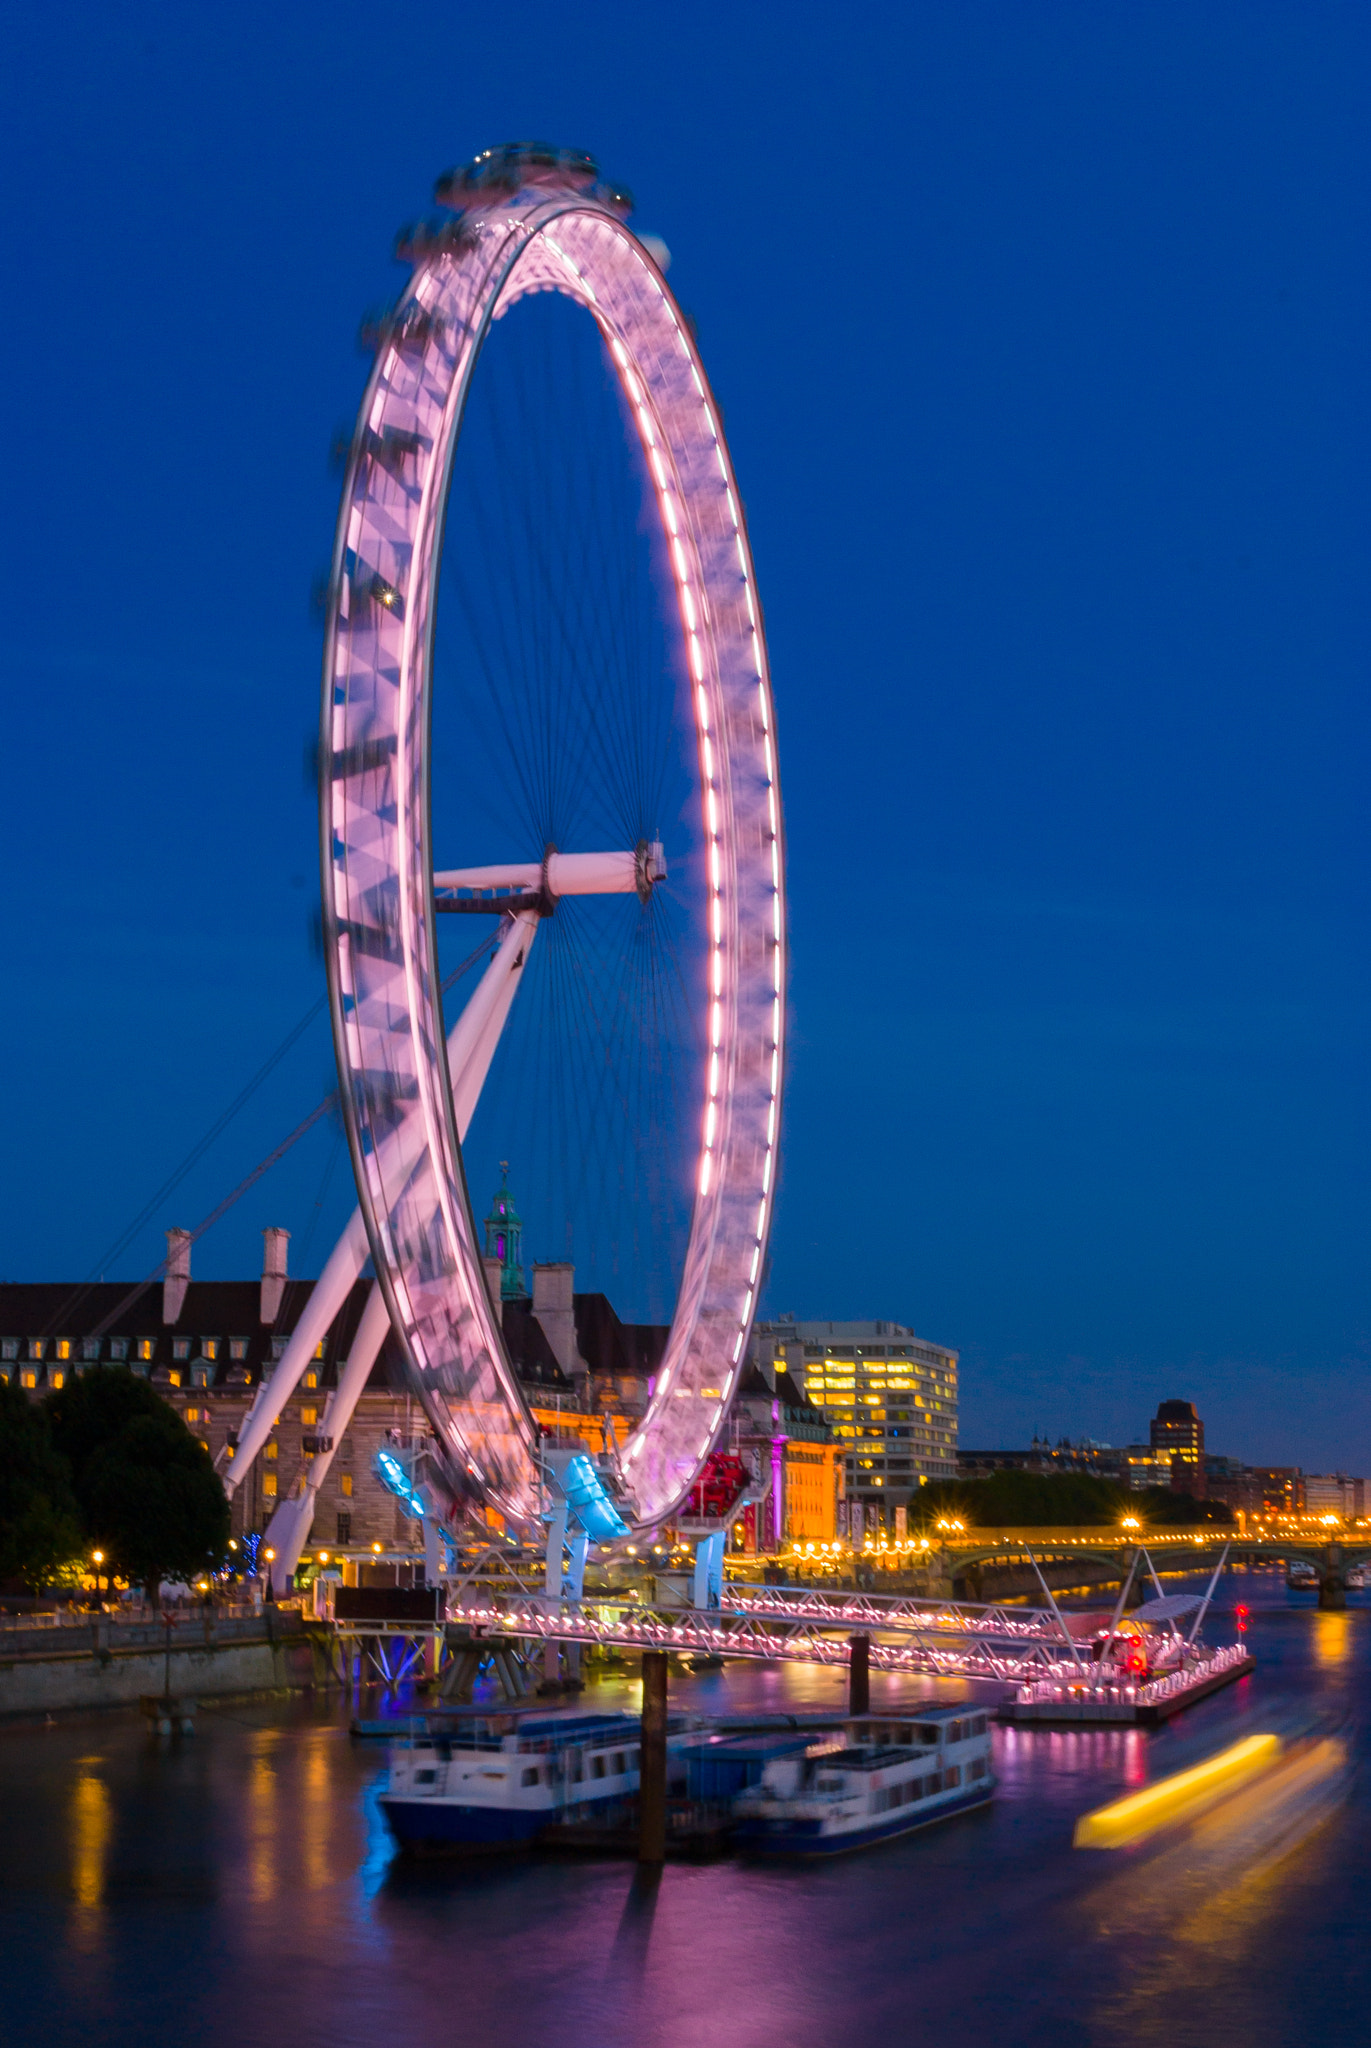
(550,716)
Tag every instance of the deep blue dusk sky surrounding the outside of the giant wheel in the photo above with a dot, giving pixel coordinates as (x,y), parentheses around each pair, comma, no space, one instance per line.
(1040,335)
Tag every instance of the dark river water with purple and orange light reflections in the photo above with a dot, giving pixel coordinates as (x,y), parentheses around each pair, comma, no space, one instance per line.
(241,1887)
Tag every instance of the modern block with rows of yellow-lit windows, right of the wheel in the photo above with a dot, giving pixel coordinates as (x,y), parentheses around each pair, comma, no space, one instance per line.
(888,1396)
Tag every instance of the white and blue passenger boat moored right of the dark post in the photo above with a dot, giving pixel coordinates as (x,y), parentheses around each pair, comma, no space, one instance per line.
(890,1777)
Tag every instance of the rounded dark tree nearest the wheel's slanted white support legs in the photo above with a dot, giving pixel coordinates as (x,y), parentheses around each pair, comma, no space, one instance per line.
(147,1488)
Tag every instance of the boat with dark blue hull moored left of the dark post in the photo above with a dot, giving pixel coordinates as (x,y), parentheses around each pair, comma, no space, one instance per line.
(495,1787)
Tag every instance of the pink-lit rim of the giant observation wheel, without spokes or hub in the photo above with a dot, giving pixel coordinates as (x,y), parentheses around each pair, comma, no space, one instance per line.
(378,859)
